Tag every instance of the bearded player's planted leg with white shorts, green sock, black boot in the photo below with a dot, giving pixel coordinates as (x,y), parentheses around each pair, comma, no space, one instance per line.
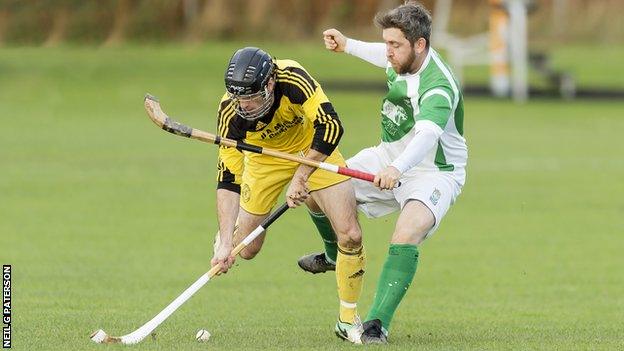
(426,200)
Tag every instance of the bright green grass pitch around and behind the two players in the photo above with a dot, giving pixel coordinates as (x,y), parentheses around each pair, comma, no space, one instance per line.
(106,219)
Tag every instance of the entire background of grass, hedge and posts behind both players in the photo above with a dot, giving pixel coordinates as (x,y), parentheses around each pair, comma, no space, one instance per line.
(107,218)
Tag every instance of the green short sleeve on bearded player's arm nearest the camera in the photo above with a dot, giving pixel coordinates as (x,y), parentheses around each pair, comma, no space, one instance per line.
(436,106)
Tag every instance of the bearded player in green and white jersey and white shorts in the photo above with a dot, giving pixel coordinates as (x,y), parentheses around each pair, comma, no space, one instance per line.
(422,145)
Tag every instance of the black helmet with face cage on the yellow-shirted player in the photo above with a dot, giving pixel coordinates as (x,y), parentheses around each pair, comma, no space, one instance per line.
(247,78)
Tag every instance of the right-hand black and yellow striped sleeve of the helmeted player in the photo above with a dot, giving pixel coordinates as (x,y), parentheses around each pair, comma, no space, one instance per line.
(304,91)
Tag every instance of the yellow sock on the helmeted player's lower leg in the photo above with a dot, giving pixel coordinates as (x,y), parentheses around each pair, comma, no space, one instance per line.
(349,275)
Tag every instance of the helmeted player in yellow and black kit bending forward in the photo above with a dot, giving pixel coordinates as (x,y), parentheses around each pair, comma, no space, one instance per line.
(276,104)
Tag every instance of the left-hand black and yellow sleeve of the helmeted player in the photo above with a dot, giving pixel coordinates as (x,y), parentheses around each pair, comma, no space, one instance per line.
(230,160)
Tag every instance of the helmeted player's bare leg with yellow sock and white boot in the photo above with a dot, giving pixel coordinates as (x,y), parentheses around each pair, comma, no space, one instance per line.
(338,203)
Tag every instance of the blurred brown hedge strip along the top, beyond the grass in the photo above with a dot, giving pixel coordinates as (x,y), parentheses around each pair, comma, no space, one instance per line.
(109,22)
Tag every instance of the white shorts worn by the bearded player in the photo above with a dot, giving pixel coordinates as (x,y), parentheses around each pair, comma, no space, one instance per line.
(436,190)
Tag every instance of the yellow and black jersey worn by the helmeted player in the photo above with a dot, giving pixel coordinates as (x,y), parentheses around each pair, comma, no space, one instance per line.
(301,118)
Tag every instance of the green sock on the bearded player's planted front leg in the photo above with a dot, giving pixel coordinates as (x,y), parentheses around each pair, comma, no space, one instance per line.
(395,279)
